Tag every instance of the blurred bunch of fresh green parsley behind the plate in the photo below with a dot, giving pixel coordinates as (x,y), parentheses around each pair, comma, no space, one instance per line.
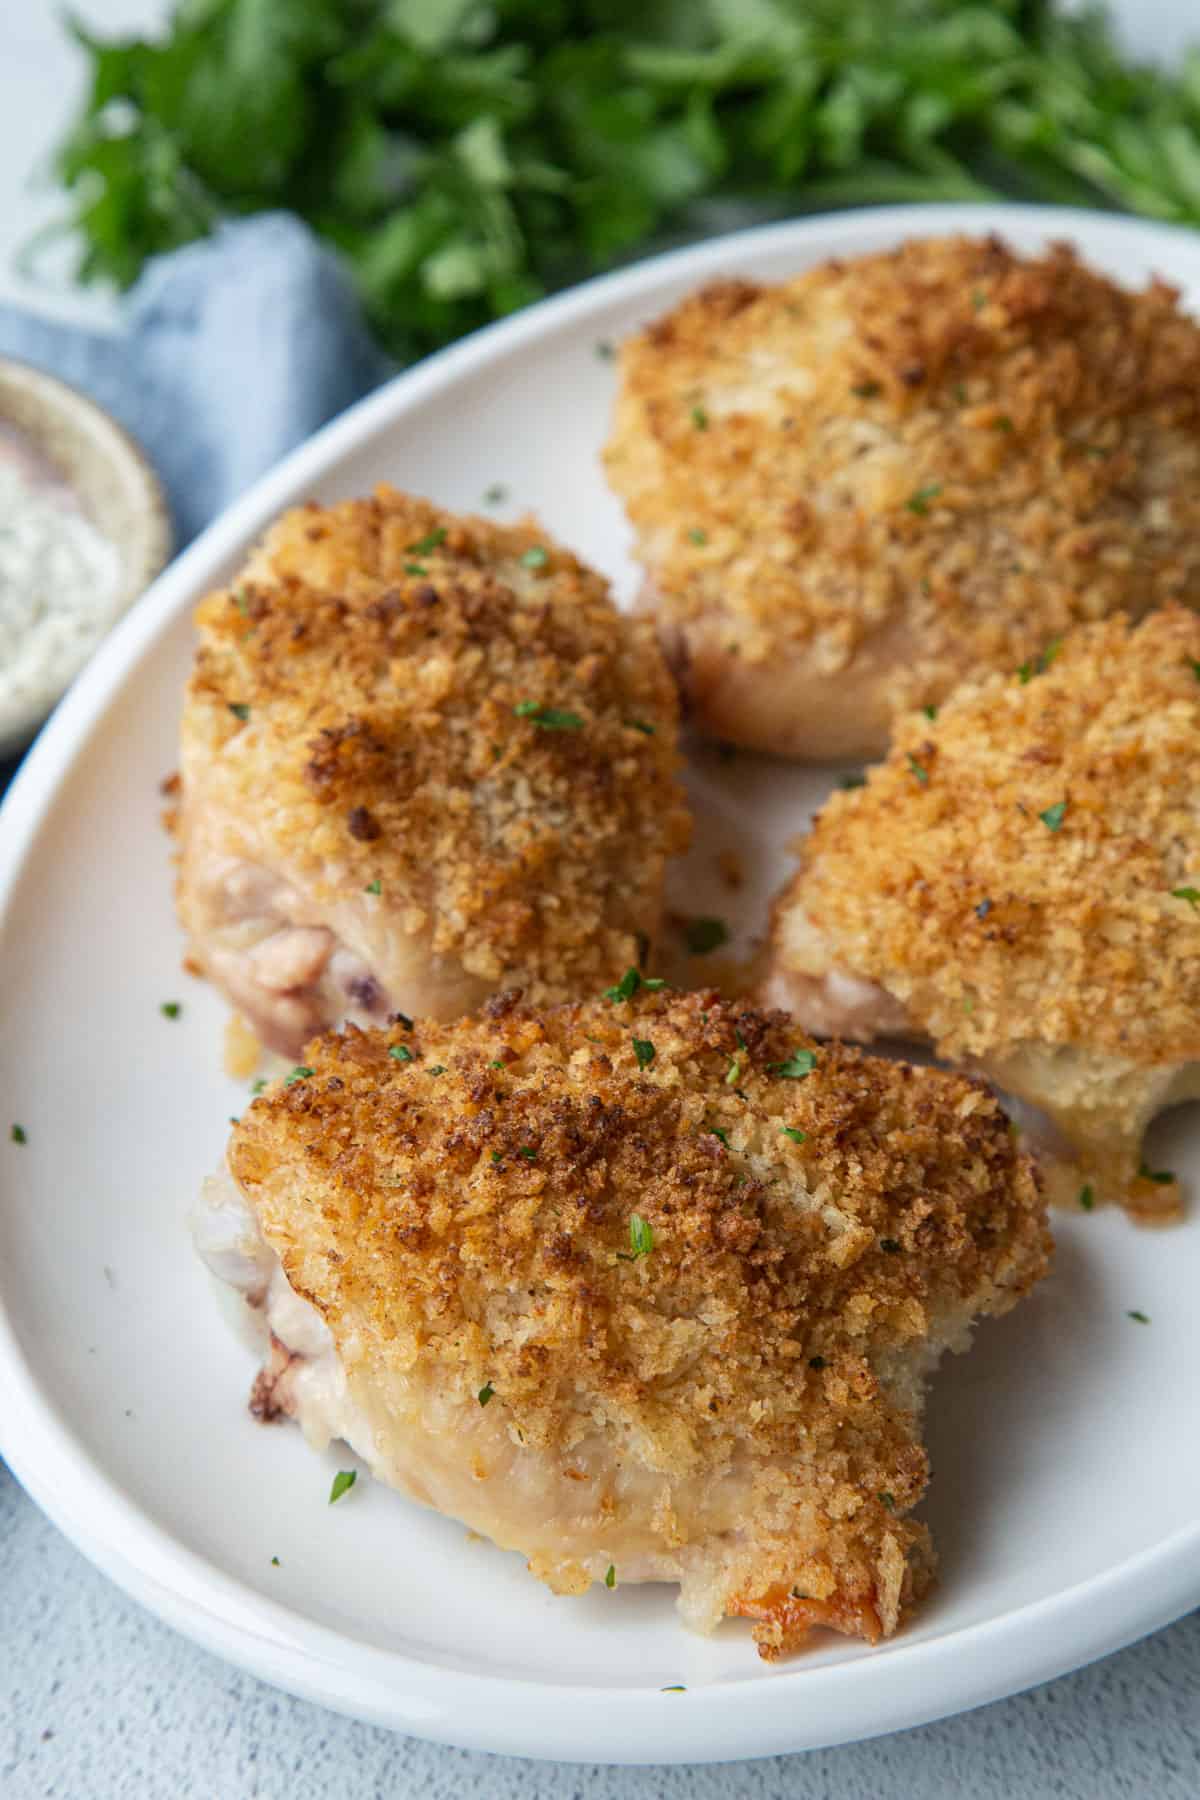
(469,156)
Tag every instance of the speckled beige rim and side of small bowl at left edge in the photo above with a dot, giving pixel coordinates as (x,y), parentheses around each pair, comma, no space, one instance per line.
(116,487)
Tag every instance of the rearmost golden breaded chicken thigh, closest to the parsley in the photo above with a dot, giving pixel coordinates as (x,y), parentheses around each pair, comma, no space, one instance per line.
(857,487)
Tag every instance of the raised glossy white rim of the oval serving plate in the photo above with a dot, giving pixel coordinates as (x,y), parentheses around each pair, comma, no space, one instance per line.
(906,1686)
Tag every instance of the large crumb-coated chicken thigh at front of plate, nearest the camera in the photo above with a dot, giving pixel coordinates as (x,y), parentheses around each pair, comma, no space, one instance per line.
(661,1309)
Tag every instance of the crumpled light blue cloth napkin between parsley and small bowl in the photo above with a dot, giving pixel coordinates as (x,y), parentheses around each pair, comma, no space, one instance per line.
(233,352)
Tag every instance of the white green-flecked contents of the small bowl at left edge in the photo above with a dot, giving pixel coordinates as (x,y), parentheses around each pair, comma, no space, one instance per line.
(60,588)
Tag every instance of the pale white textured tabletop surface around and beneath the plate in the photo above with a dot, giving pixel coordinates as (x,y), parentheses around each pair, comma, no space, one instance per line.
(100,1702)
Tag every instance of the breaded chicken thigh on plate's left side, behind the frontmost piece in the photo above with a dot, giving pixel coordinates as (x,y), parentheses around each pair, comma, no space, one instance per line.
(422,759)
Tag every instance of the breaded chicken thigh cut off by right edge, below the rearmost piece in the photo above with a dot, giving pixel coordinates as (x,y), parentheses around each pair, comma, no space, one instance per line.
(1019,883)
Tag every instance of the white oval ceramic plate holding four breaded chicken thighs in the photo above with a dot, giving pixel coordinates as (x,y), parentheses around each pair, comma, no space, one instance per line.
(1066,1470)
